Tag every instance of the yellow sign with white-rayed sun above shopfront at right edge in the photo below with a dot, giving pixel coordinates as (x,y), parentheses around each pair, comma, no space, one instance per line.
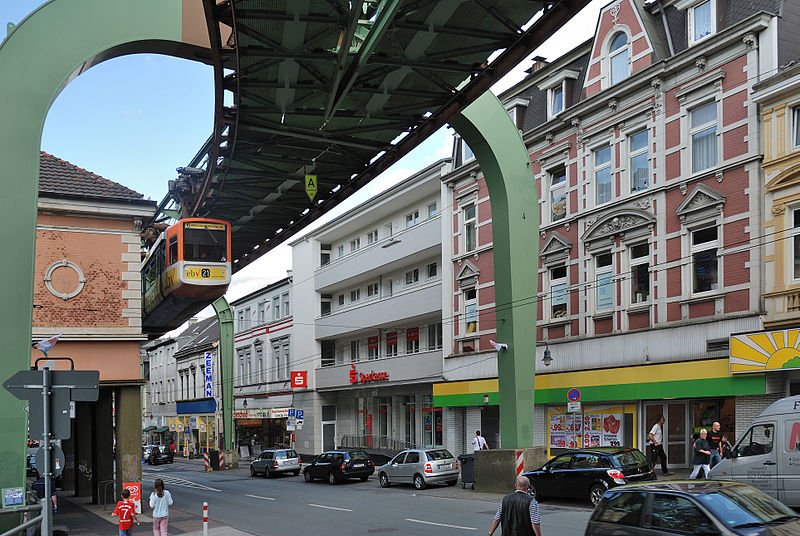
(765,351)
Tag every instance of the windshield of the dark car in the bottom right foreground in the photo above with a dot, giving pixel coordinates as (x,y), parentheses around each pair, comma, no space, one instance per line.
(740,505)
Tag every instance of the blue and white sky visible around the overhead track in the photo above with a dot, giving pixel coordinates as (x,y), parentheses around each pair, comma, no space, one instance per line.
(135,119)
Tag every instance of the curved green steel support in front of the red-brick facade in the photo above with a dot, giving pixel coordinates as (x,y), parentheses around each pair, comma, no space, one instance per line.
(487,128)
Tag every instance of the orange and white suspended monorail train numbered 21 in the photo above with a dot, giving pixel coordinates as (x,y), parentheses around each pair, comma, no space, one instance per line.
(187,268)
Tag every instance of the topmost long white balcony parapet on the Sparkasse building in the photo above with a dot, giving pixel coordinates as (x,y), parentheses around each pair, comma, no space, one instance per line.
(406,247)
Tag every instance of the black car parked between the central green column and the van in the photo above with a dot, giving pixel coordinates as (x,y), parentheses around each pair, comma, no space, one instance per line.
(588,473)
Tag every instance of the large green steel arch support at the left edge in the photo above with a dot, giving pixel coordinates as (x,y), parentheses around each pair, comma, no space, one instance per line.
(39,57)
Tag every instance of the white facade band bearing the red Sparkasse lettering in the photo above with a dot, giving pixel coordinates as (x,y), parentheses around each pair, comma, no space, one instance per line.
(422,367)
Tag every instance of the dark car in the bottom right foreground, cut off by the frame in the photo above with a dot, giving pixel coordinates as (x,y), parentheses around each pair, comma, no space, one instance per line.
(691,507)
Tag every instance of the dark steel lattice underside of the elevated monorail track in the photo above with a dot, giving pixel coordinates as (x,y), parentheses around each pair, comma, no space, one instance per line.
(341,90)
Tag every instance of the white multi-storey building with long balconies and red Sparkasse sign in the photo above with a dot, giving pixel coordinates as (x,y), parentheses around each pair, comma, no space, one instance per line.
(368,321)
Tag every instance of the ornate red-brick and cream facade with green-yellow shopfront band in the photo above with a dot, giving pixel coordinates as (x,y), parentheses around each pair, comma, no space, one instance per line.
(645,152)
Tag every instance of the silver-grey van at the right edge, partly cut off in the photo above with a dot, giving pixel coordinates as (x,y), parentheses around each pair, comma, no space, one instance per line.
(767,456)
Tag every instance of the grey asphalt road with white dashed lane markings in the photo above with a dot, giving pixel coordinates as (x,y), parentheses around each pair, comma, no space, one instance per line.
(290,506)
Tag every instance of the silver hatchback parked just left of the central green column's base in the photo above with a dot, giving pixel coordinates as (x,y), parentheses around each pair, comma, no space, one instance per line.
(420,467)
